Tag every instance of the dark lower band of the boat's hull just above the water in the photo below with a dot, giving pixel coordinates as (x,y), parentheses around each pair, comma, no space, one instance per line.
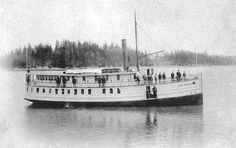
(196,99)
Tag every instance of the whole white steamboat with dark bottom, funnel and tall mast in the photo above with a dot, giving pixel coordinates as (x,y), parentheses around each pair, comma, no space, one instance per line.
(112,87)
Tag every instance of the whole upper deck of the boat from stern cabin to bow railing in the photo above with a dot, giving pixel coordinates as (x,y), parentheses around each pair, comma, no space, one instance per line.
(87,79)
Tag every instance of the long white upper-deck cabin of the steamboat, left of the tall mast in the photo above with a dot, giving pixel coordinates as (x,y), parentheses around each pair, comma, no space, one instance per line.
(81,78)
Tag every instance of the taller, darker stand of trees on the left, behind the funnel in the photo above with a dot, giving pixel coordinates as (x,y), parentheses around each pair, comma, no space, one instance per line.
(67,54)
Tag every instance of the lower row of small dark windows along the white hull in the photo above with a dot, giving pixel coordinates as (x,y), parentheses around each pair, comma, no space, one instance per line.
(75,91)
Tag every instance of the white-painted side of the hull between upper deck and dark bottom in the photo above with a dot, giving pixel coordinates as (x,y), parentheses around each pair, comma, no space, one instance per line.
(128,93)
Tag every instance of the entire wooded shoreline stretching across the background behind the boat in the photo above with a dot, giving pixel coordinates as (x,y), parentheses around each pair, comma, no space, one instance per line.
(68,54)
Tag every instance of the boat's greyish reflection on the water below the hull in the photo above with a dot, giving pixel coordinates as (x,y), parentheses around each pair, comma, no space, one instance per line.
(128,126)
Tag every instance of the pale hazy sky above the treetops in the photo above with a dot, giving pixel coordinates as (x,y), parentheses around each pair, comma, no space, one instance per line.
(194,25)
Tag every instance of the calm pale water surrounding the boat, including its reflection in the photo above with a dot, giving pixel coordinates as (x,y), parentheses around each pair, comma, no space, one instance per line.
(210,125)
